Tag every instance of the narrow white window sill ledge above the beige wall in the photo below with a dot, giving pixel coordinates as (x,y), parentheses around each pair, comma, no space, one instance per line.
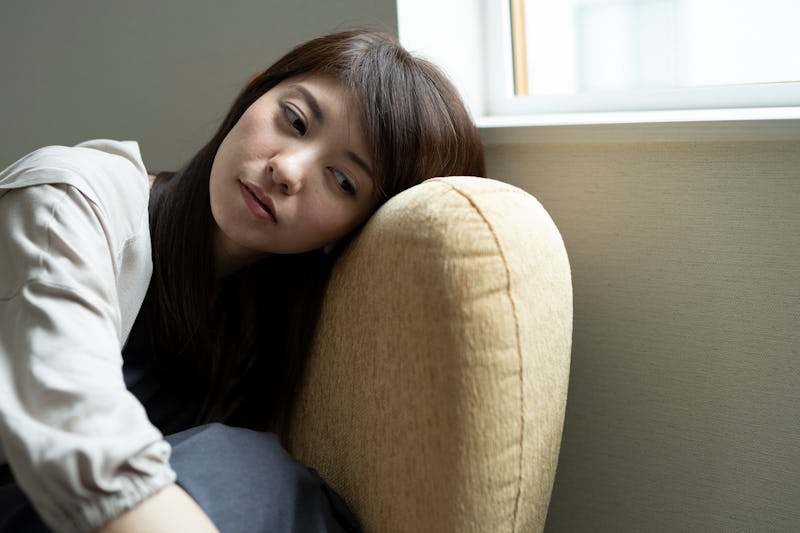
(744,124)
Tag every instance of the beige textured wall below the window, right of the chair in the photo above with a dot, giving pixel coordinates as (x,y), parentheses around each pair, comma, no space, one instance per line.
(684,403)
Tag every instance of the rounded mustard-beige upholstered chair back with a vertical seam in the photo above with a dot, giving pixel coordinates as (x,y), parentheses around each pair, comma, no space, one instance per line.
(435,396)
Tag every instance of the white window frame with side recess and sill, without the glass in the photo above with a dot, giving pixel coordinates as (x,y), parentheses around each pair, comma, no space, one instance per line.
(471,40)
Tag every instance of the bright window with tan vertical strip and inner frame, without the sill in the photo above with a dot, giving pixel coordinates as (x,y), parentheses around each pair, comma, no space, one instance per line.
(622,55)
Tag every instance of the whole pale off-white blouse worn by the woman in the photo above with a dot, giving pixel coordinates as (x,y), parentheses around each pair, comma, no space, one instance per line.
(74,269)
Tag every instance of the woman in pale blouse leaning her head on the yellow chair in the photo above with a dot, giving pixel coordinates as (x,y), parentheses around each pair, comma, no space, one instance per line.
(242,241)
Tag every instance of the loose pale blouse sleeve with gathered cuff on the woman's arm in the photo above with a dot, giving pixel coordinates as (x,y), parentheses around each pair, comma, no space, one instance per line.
(79,444)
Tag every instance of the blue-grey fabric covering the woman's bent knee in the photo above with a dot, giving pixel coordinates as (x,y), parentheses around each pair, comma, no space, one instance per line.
(246,482)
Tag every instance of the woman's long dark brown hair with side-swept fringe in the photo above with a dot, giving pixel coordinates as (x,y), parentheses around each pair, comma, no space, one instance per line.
(240,344)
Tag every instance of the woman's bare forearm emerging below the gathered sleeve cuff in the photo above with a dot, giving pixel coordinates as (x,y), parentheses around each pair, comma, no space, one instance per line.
(170,510)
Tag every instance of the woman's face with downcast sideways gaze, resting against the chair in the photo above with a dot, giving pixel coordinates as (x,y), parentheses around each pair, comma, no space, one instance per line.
(294,174)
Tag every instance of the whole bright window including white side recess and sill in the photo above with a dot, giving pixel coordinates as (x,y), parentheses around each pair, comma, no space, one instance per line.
(616,69)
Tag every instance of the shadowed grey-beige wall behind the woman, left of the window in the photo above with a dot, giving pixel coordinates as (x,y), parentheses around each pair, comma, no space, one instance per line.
(159,72)
